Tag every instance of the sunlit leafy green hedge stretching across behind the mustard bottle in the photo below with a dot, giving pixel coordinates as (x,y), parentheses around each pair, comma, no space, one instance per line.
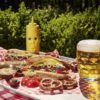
(58,31)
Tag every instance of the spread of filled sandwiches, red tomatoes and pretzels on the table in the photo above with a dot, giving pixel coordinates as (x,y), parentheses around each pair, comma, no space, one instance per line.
(46,71)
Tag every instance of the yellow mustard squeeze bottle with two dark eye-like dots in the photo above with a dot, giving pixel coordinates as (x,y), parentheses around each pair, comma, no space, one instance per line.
(32,37)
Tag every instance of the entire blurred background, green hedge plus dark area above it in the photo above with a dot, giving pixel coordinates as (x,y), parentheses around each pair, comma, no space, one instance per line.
(63,23)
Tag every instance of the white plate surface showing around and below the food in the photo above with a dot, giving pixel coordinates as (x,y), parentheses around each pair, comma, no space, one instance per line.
(35,93)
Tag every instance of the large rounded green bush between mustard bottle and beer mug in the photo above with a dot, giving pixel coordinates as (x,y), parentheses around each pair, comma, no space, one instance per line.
(64,32)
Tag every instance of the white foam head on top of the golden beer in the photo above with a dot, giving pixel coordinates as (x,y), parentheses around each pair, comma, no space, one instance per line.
(89,46)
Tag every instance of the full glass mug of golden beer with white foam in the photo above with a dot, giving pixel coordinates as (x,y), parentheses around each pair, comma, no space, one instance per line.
(88,57)
